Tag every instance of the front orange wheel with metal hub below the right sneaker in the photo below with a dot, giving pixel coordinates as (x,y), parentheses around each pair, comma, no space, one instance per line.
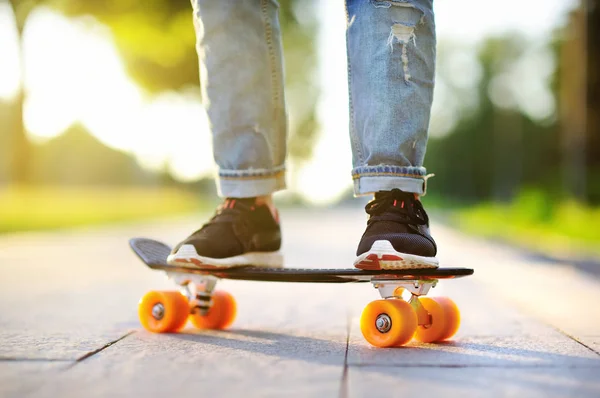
(388,323)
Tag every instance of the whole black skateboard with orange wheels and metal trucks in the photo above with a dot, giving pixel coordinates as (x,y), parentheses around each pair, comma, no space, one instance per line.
(388,322)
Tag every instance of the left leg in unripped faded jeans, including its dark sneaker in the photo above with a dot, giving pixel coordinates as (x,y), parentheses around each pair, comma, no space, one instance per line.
(241,73)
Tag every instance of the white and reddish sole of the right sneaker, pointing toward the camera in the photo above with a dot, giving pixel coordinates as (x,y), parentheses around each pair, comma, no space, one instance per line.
(383,256)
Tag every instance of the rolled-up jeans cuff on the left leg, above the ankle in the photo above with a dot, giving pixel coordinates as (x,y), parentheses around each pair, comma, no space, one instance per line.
(248,186)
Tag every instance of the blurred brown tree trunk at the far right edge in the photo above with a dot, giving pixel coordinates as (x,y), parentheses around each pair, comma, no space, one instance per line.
(580,102)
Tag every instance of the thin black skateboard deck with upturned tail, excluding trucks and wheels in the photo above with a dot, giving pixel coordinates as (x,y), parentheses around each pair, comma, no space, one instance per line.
(154,255)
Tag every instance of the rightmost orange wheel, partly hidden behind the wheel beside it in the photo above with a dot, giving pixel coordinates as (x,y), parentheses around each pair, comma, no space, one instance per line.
(445,319)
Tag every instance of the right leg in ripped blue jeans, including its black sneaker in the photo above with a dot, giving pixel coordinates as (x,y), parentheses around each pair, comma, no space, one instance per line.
(391,67)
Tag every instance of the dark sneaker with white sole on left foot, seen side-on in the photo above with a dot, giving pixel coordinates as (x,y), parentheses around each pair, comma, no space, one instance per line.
(240,233)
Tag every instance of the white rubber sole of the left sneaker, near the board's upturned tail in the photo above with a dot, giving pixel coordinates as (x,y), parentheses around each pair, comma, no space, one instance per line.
(187,255)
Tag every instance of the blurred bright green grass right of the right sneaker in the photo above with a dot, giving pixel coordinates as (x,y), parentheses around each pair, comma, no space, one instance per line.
(534,221)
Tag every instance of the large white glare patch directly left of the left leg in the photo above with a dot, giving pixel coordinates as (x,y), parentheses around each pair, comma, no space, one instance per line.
(74,73)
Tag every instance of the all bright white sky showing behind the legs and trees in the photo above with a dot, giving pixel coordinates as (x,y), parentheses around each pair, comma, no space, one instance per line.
(172,129)
